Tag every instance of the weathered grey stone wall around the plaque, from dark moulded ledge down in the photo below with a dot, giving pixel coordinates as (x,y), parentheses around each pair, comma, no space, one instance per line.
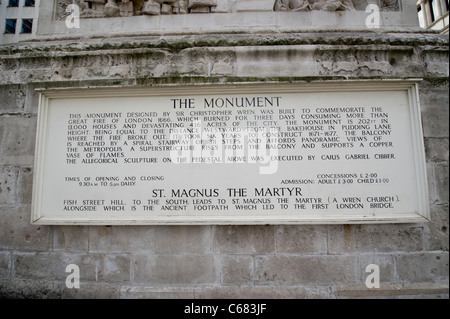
(322,261)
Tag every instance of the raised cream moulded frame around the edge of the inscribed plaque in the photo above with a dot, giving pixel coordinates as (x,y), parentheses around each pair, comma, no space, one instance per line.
(410,86)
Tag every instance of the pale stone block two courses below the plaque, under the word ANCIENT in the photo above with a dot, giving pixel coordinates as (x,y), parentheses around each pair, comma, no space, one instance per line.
(174,270)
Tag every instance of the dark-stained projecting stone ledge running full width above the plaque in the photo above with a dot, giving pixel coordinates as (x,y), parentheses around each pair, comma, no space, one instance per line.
(176,43)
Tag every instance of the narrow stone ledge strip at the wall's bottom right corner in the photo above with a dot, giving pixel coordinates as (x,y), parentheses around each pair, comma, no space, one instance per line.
(425,288)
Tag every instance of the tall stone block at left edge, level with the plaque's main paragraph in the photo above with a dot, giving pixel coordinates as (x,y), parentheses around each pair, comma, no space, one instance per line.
(17,136)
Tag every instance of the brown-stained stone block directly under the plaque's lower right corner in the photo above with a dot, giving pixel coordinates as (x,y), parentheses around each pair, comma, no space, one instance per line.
(374,238)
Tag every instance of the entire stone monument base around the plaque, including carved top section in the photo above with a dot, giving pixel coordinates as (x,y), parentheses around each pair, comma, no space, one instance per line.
(196,43)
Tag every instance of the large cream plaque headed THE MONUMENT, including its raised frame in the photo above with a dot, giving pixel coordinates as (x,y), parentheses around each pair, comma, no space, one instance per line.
(320,153)
